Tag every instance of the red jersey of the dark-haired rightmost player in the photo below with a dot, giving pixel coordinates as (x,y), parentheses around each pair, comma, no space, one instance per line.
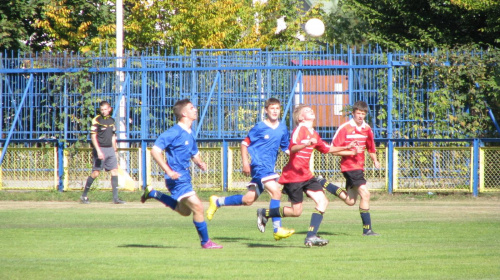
(349,132)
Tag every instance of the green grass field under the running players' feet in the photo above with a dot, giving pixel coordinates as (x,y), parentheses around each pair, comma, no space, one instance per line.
(420,239)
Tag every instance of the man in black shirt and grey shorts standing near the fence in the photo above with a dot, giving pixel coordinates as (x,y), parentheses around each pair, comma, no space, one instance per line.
(103,138)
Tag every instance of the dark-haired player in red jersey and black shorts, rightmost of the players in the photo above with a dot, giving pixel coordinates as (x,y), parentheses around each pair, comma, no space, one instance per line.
(352,167)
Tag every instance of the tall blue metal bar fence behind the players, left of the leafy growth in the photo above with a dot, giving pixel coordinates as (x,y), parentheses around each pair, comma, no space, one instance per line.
(46,96)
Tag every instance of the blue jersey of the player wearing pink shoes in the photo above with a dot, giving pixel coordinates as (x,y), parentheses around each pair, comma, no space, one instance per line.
(179,146)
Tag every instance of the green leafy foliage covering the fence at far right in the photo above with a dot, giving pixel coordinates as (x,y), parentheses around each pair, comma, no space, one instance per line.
(466,85)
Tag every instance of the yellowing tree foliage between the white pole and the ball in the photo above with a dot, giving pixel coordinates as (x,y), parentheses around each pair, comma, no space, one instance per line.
(213,24)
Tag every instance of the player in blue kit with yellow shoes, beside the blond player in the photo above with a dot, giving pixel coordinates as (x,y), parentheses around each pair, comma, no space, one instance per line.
(262,143)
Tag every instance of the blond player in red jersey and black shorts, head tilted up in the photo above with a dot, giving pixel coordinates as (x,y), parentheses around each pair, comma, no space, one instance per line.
(298,179)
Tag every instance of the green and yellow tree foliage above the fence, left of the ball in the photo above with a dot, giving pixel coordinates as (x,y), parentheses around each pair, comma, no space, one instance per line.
(83,25)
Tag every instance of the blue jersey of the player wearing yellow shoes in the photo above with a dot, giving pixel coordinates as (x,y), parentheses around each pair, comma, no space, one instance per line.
(263,143)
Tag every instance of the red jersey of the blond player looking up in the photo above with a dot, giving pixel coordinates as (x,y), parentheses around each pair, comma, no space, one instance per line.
(297,168)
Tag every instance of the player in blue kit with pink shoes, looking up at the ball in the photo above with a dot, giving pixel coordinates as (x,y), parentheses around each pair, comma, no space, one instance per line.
(180,147)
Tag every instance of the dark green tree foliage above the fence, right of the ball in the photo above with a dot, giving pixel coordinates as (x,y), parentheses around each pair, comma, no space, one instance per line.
(407,24)
